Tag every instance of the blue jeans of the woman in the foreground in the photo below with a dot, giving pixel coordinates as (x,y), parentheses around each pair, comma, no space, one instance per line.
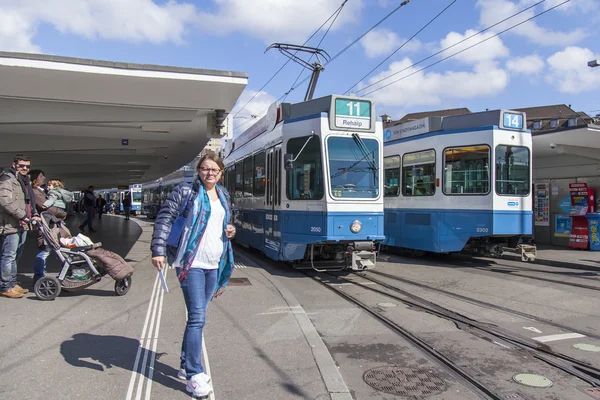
(198,288)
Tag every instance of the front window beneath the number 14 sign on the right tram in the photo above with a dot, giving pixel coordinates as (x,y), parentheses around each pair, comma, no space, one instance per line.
(512,170)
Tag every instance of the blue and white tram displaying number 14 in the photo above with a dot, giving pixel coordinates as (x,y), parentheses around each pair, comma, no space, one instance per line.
(459,183)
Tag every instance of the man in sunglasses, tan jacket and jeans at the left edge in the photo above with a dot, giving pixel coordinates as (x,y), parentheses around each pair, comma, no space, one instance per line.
(17,211)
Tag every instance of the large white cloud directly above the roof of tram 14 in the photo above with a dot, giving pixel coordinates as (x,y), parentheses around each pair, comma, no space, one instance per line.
(433,88)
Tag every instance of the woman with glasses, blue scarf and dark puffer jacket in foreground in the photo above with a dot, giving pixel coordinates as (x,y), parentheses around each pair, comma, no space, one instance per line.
(203,258)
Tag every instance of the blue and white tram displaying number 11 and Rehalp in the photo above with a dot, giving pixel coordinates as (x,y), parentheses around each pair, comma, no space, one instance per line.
(306,184)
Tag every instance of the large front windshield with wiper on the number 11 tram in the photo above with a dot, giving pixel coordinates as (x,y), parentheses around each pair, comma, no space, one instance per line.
(353,167)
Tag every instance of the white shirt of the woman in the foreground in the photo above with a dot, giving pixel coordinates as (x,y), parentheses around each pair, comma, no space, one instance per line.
(211,245)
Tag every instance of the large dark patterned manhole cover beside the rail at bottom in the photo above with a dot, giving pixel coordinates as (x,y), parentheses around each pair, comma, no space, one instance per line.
(404,381)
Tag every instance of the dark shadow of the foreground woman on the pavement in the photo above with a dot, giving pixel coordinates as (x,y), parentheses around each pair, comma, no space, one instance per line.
(100,353)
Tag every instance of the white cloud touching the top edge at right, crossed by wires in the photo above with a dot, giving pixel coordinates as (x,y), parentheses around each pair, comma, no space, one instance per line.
(493,11)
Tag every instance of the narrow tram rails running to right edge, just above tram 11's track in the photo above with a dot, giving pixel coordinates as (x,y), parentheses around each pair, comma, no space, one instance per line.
(479,303)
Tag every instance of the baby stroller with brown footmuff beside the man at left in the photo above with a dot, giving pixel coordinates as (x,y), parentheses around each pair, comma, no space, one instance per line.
(83,266)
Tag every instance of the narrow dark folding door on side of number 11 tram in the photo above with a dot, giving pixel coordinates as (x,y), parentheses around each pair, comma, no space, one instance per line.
(272,203)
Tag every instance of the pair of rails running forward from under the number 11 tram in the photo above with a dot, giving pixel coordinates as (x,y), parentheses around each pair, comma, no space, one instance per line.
(540,351)
